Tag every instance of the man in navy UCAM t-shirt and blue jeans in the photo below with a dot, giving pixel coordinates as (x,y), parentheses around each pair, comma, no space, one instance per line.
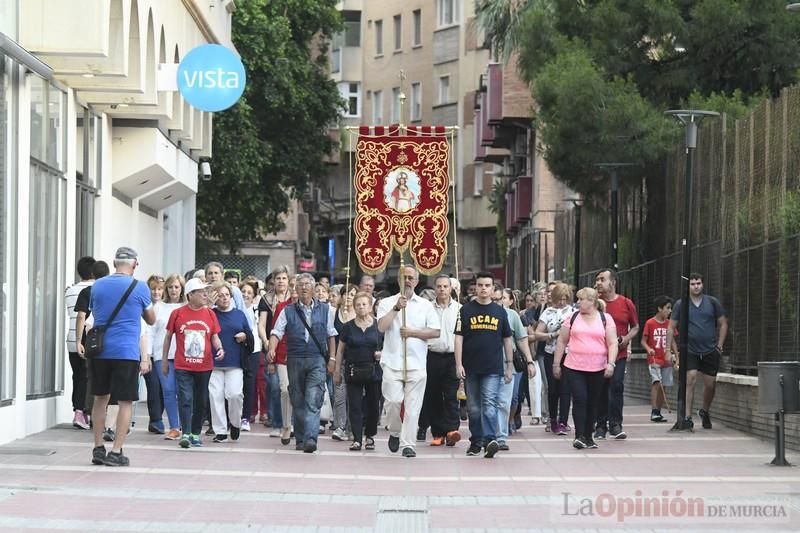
(484,357)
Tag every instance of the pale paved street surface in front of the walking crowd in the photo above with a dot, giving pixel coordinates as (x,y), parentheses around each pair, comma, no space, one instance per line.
(652,480)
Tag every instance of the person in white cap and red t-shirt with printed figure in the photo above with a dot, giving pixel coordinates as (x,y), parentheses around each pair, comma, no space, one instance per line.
(196,329)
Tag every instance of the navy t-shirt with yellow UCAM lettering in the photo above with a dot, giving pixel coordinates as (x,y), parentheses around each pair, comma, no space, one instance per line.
(483,328)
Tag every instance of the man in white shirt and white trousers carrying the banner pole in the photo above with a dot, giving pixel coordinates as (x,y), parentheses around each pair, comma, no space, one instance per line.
(404,358)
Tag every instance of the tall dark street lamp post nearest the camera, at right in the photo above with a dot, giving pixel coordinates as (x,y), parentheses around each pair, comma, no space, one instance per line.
(690,118)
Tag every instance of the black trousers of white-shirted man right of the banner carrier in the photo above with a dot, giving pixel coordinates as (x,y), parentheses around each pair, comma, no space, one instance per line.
(440,405)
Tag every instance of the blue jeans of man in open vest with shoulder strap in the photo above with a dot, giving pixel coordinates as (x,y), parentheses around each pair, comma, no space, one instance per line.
(306,391)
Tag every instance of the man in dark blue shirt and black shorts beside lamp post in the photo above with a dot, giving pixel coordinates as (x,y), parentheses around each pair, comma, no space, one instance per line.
(705,343)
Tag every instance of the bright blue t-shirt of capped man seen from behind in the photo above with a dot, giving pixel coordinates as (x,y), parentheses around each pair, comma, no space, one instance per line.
(121,340)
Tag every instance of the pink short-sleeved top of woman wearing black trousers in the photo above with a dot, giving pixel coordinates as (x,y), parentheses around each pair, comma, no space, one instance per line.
(588,350)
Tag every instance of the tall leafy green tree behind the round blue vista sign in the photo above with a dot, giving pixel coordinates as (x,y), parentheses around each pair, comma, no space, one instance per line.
(270,146)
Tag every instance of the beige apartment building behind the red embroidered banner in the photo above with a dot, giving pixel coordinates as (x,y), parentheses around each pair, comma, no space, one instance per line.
(435,44)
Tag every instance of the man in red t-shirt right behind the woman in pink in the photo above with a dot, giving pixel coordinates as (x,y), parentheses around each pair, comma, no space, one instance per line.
(622,310)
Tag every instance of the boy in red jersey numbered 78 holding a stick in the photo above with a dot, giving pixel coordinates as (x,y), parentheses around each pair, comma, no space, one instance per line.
(659,355)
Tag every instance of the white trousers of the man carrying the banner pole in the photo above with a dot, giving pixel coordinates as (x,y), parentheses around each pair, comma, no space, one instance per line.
(395,394)
